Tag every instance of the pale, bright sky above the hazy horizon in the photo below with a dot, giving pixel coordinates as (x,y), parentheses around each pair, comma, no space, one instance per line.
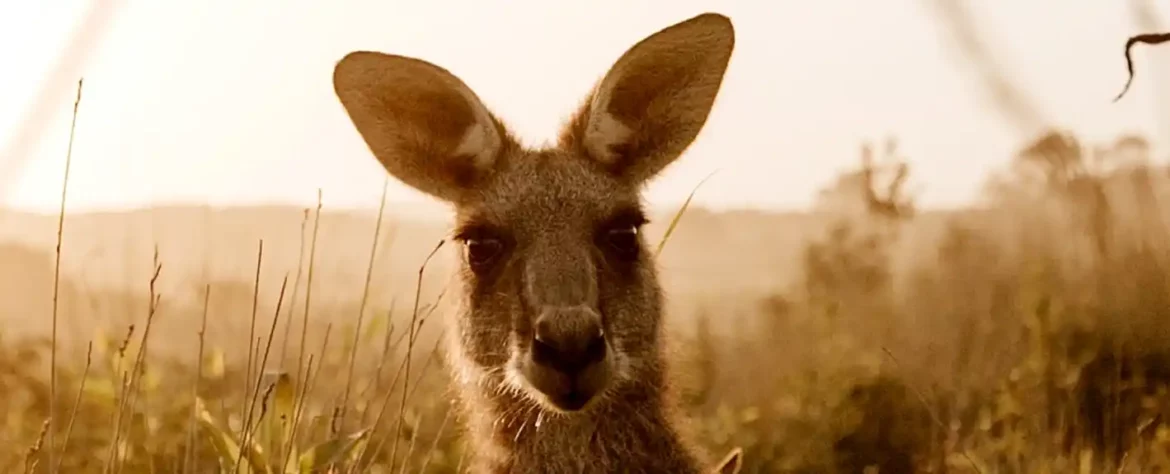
(230,102)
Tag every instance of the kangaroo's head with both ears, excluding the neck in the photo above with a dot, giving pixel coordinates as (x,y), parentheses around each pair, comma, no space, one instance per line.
(561,298)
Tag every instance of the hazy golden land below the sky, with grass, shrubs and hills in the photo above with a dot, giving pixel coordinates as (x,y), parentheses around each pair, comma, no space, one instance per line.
(1023,336)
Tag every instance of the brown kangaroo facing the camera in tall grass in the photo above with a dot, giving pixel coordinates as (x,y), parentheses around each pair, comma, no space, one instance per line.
(556,346)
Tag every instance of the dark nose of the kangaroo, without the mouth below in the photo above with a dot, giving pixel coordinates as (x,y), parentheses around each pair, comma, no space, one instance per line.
(569,340)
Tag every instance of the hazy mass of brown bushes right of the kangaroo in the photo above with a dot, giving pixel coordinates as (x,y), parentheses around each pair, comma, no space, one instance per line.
(1029,336)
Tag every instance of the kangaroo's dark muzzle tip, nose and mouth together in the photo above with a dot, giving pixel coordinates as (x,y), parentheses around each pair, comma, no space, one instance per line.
(568,358)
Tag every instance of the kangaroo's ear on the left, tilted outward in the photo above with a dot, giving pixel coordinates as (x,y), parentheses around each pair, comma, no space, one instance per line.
(423,123)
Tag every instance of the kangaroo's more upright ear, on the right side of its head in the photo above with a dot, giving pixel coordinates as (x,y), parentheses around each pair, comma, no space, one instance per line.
(655,101)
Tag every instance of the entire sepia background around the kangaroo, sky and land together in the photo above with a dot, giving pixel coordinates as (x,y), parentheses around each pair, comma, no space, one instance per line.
(930,241)
